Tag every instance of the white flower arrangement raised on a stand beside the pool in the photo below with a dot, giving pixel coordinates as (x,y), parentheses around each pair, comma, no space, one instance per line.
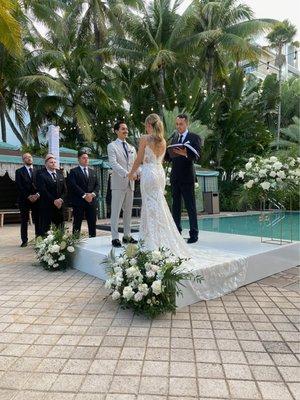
(265,175)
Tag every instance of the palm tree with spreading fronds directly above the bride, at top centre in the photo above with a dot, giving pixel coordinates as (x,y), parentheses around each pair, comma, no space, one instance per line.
(154,43)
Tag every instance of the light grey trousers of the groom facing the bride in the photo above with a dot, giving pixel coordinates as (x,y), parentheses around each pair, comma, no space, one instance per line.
(121,199)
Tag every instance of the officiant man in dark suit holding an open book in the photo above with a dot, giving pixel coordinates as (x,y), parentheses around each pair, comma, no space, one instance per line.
(183,175)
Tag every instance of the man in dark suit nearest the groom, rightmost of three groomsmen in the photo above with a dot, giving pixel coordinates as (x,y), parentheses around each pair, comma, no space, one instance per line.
(84,187)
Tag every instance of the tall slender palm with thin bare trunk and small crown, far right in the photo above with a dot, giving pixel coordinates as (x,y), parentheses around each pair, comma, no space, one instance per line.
(281,34)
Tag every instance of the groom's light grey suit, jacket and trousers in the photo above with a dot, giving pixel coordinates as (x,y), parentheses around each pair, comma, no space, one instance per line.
(121,188)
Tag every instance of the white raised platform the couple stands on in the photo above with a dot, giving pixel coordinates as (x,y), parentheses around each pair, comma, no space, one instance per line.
(263,259)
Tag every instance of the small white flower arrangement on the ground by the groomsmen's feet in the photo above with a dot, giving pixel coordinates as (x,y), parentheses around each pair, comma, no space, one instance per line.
(54,252)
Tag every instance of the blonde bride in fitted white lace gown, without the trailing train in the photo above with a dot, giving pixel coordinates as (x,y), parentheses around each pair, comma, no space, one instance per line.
(157,227)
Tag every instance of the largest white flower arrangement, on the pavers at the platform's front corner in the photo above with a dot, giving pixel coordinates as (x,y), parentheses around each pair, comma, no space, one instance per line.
(147,281)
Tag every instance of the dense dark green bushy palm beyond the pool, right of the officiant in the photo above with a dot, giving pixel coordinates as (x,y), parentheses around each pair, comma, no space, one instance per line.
(238,127)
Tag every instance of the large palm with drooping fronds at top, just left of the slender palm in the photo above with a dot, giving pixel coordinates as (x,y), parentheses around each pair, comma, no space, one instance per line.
(224,28)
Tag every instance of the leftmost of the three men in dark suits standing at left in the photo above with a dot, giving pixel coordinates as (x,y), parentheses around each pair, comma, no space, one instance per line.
(28,197)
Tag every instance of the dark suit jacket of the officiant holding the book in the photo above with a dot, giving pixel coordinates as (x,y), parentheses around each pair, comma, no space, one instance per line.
(183,170)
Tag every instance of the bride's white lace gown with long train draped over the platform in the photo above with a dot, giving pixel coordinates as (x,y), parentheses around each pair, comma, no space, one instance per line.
(222,272)
